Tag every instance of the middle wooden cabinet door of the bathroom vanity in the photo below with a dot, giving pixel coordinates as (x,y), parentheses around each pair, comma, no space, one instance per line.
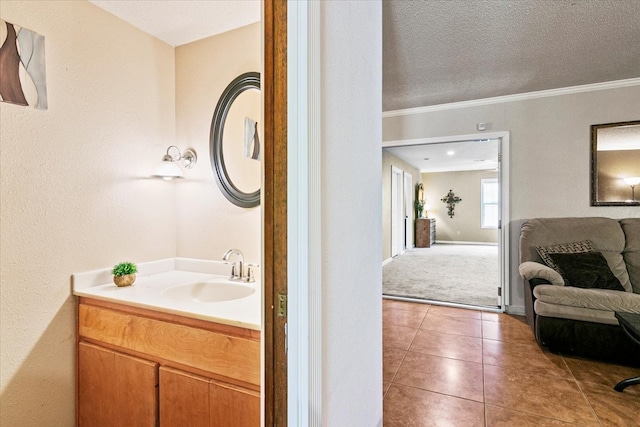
(184,399)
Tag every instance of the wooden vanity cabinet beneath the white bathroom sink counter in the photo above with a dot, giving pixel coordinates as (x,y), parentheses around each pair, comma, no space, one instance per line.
(138,367)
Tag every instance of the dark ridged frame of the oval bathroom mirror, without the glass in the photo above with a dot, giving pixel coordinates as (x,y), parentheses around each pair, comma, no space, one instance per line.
(240,84)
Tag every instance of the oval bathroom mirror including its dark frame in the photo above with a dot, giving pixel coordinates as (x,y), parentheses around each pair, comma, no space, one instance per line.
(235,145)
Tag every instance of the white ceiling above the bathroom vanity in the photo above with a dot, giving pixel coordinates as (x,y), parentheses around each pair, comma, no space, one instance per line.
(177,22)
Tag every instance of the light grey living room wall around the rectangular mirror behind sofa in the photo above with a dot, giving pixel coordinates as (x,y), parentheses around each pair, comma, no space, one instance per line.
(549,151)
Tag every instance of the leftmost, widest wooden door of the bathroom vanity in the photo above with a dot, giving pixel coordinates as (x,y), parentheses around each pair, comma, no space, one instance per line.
(115,389)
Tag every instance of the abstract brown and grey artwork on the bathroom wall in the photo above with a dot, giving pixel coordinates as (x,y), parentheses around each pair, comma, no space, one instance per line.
(22,67)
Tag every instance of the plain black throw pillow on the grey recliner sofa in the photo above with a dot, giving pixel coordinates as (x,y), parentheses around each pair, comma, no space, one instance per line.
(586,270)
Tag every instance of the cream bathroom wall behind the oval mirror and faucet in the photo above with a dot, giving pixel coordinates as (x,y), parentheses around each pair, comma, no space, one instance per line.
(208,224)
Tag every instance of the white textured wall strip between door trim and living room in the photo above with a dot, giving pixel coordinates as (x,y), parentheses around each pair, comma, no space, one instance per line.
(351,84)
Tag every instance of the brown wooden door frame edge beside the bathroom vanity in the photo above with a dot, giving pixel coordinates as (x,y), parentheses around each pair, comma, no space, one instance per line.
(275,210)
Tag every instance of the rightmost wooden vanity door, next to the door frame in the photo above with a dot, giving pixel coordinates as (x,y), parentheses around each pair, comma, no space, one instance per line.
(233,406)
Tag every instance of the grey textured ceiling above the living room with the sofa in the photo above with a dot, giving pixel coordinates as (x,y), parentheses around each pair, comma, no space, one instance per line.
(437,52)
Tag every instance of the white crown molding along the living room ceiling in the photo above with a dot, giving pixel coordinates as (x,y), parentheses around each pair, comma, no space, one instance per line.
(512,98)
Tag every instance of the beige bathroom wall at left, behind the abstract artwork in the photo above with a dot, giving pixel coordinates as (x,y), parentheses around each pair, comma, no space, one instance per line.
(74,191)
